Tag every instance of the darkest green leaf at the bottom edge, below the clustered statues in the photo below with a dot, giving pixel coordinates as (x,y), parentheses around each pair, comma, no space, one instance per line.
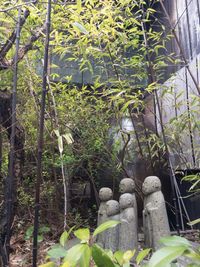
(100,257)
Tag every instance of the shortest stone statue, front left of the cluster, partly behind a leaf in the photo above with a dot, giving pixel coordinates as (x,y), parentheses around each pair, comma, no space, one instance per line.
(112,234)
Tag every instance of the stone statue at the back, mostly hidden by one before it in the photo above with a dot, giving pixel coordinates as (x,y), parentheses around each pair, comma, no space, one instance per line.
(127,185)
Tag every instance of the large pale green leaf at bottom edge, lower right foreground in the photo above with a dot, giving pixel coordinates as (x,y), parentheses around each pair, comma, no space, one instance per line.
(164,256)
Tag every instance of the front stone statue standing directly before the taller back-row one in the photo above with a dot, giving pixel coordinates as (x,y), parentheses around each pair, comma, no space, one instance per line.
(128,239)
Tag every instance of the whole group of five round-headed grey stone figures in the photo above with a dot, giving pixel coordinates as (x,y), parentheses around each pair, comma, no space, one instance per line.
(125,235)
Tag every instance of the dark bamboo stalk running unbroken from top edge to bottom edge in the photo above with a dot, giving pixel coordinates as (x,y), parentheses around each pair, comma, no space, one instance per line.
(41,137)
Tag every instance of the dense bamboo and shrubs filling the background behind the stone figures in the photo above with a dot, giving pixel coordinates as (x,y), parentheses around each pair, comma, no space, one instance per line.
(106,58)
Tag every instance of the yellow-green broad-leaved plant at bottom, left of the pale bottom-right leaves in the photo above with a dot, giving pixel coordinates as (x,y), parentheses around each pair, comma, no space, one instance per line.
(88,252)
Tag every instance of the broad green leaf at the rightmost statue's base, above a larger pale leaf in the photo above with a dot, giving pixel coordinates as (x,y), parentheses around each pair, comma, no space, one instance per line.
(175,241)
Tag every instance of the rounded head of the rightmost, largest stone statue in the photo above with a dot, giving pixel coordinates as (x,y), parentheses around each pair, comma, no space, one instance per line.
(151,184)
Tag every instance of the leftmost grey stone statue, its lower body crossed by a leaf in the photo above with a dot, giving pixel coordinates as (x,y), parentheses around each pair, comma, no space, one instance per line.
(105,194)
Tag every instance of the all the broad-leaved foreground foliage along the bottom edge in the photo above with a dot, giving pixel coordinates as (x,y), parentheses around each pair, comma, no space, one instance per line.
(87,251)
